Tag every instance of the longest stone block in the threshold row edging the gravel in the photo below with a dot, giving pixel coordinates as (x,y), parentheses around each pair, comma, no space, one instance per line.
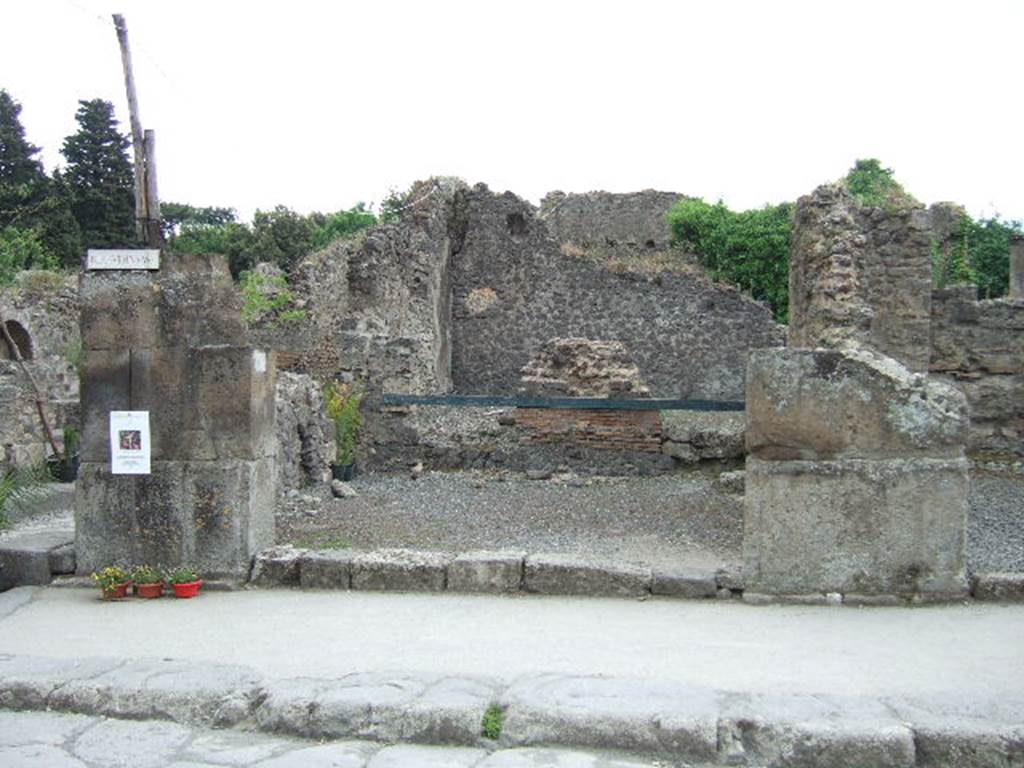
(572,575)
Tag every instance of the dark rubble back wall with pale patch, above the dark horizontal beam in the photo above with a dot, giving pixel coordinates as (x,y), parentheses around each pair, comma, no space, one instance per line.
(514,290)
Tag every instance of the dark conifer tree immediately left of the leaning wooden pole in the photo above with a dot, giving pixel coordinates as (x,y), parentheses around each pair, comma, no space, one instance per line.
(100,179)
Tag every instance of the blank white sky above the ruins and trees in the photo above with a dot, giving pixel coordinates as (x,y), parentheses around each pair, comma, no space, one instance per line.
(320,105)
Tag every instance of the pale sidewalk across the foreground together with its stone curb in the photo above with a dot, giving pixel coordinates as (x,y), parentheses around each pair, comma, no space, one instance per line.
(685,682)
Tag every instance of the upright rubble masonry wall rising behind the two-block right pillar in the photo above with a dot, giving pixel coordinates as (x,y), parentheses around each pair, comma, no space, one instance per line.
(861,275)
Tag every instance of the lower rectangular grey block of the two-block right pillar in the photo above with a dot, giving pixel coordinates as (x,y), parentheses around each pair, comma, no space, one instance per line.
(894,527)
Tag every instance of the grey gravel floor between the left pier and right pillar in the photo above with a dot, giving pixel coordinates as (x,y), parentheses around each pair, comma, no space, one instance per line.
(656,521)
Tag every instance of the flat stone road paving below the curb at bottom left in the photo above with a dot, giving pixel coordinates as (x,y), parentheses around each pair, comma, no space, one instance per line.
(47,740)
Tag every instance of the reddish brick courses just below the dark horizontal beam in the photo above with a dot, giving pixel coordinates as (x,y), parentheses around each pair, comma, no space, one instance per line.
(614,431)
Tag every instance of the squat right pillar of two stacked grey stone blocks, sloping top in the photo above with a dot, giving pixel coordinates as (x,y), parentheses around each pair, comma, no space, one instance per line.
(857,480)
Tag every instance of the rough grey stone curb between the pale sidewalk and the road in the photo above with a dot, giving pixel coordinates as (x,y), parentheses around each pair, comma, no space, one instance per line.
(647,718)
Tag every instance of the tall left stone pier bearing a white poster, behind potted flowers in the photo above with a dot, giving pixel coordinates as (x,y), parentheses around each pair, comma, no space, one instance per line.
(172,344)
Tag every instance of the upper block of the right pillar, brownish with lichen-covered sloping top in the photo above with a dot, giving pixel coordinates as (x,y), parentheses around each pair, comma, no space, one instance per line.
(825,405)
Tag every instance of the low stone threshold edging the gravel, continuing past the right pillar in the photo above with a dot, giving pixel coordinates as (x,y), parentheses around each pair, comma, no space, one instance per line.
(510,572)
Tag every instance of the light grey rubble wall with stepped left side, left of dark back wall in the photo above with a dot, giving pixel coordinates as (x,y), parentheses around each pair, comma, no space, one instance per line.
(378,307)
